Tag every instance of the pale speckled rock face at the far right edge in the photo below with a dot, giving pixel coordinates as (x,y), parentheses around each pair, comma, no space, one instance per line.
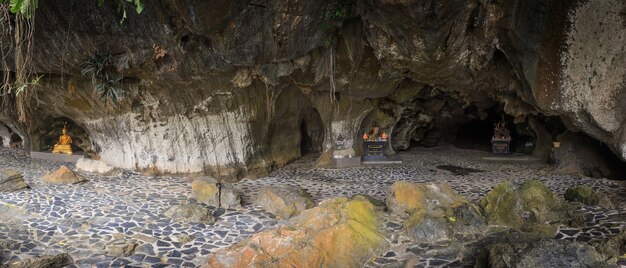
(593,76)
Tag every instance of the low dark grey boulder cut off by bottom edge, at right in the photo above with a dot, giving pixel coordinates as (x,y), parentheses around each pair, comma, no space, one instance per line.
(545,253)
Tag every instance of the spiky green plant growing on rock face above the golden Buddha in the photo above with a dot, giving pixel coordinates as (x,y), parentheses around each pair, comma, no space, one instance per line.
(104,76)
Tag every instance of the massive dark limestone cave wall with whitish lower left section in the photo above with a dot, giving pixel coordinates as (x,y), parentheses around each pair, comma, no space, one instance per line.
(226,87)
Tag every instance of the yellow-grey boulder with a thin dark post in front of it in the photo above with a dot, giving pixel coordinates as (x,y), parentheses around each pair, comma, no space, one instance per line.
(209,191)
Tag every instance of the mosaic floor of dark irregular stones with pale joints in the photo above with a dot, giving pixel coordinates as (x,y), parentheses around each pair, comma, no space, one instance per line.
(88,220)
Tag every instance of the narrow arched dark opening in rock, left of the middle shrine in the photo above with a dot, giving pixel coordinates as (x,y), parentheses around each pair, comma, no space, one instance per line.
(311,132)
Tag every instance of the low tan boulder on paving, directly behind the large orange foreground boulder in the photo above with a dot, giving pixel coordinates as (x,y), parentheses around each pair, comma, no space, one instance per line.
(284,202)
